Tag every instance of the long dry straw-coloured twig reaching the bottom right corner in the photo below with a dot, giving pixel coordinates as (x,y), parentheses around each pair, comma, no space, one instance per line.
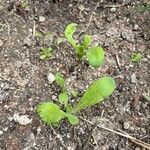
(123,134)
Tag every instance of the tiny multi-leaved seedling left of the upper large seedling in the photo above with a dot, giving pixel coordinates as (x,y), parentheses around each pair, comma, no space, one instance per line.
(45,53)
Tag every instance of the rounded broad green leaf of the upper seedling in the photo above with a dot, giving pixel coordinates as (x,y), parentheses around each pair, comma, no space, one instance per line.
(95,56)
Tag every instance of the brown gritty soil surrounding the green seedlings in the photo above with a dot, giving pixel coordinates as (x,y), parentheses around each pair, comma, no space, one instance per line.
(118,28)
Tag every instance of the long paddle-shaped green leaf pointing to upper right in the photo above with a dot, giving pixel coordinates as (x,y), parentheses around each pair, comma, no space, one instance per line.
(96,93)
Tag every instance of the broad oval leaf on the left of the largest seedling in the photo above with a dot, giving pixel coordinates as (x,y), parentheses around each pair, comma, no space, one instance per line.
(50,113)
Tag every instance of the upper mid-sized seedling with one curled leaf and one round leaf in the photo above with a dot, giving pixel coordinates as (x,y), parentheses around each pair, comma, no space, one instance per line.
(95,55)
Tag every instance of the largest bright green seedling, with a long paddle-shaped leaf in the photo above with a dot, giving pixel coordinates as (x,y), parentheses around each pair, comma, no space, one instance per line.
(100,89)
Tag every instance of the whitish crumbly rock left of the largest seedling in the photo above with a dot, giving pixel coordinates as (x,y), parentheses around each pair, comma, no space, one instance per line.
(22,120)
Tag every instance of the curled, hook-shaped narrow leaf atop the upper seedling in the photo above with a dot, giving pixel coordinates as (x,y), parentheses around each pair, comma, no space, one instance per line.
(69,31)
